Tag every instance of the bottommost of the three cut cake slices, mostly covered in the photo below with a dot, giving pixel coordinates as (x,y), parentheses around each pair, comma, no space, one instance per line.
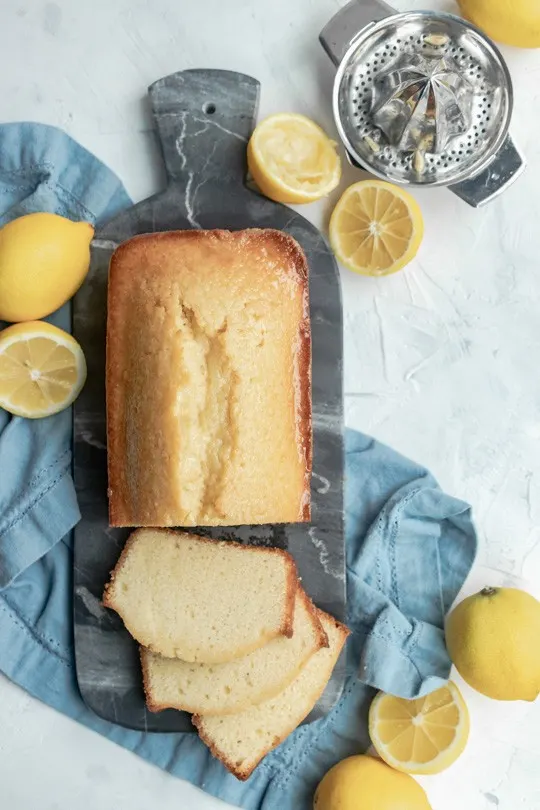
(241,740)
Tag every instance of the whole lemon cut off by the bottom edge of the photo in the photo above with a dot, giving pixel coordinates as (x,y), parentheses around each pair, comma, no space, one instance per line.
(364,783)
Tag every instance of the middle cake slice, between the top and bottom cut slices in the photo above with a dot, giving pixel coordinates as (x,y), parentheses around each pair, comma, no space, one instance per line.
(234,686)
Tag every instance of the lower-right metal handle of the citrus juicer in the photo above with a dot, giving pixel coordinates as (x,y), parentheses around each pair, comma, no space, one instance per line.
(506,167)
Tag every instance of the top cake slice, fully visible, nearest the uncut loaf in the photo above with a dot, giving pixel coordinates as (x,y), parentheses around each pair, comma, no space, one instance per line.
(209,601)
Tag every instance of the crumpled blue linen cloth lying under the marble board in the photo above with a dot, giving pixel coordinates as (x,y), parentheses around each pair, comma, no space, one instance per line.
(409,546)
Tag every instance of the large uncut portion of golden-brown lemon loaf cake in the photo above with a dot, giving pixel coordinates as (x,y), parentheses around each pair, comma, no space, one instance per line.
(209,380)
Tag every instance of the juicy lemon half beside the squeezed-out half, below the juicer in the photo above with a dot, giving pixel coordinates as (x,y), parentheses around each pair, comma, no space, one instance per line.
(376,228)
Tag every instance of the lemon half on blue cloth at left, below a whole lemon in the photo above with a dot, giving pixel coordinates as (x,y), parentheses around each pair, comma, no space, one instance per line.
(42,369)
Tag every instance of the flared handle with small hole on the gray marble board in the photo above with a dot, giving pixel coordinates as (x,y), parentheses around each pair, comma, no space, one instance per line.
(204,119)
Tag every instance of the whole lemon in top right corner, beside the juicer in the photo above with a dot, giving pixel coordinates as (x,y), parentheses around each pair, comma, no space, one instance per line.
(514,22)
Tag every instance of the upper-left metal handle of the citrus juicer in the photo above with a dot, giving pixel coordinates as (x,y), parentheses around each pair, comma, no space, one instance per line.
(344,27)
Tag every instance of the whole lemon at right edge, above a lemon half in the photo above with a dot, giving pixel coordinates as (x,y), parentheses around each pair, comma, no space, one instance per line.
(494,640)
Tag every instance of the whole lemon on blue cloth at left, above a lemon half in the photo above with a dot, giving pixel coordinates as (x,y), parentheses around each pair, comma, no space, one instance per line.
(44,259)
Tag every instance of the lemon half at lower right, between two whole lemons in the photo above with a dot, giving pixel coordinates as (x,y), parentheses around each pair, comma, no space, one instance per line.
(423,736)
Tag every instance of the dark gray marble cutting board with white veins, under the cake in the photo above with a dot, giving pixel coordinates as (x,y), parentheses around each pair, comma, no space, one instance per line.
(203,119)
